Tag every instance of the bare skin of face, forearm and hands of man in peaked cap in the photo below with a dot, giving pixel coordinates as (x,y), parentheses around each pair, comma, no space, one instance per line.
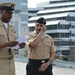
(6,17)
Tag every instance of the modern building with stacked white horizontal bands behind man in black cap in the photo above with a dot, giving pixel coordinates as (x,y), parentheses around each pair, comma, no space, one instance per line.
(60,17)
